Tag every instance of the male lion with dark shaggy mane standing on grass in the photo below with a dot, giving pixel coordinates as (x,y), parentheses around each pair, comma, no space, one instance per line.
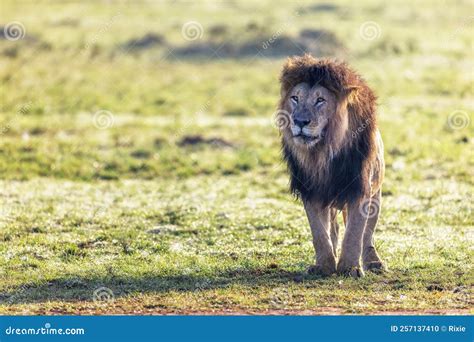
(334,153)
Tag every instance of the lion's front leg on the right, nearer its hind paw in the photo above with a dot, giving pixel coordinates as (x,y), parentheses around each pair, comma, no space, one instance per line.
(349,261)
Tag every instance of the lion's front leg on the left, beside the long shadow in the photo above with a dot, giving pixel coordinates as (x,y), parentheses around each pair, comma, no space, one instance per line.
(319,221)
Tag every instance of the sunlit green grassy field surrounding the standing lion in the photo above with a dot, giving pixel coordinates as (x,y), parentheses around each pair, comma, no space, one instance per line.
(140,164)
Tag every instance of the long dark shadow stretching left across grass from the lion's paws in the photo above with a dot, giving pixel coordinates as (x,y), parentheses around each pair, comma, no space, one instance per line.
(80,288)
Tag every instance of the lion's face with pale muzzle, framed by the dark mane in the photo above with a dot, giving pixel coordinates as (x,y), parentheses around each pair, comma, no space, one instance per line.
(310,111)
